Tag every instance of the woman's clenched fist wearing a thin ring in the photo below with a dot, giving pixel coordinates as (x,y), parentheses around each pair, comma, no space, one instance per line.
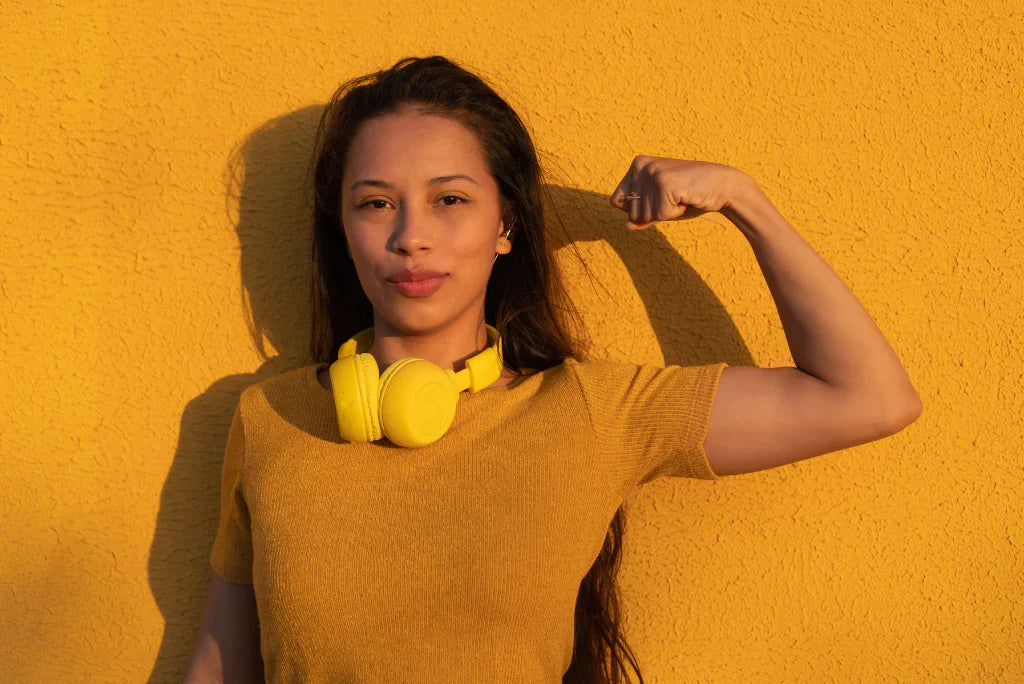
(676,189)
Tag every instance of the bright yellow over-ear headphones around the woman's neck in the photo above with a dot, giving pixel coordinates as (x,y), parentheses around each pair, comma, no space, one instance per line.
(413,403)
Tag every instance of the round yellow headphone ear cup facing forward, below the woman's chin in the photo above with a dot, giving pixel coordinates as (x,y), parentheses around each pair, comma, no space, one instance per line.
(417,402)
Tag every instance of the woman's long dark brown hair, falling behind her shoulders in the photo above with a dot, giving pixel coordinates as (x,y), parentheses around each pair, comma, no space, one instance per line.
(526,302)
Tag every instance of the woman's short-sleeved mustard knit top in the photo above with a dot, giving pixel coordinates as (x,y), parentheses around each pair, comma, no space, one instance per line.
(459,562)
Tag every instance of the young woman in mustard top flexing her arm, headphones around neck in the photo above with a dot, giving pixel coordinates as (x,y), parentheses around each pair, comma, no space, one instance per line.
(439,498)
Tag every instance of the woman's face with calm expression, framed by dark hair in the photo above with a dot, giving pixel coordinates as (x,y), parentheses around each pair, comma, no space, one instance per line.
(413,216)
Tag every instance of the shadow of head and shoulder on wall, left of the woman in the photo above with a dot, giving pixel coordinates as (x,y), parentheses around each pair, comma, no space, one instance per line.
(266,202)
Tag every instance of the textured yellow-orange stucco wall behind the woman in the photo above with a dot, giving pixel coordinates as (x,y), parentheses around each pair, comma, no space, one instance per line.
(137,303)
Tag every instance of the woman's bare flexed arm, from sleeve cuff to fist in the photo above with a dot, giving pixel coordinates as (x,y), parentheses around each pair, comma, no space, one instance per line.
(849,387)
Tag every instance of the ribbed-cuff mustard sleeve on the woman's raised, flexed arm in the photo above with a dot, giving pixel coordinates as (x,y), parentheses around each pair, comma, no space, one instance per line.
(651,421)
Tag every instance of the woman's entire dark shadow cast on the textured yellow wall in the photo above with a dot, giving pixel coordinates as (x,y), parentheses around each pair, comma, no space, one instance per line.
(267,181)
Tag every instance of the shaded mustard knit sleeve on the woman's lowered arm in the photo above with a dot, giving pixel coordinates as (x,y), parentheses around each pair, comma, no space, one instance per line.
(232,557)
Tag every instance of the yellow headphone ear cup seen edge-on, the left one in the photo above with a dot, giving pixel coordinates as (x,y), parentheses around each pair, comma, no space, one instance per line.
(356,382)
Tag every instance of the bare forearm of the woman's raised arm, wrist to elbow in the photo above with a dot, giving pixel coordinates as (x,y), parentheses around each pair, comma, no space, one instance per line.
(831,335)
